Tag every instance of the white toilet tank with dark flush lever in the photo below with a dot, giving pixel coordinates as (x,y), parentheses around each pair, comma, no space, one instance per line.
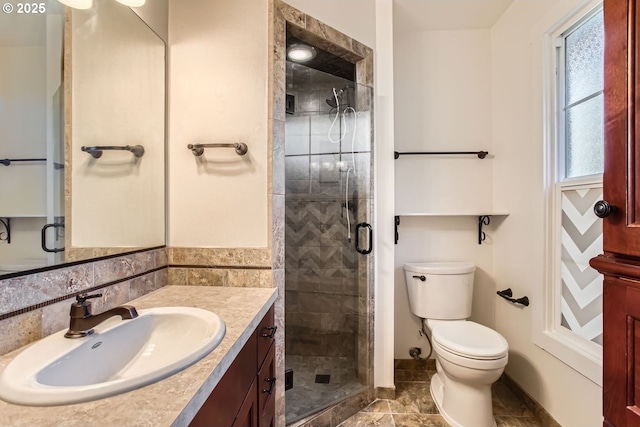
(440,290)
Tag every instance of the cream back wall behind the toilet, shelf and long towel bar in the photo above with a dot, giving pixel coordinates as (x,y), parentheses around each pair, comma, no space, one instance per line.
(442,103)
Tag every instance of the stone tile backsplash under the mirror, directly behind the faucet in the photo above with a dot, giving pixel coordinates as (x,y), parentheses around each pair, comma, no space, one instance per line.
(36,305)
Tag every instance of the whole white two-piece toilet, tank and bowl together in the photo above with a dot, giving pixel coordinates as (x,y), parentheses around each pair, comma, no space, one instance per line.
(469,357)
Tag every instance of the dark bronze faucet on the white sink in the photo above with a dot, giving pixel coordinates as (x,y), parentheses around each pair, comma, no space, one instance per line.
(82,321)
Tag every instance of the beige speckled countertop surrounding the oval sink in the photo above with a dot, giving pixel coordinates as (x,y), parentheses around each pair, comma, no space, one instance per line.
(175,400)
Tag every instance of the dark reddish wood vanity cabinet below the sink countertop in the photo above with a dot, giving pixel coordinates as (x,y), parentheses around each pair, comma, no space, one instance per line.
(245,395)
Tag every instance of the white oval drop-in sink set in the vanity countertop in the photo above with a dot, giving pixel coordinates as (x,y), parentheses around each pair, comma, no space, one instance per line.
(121,355)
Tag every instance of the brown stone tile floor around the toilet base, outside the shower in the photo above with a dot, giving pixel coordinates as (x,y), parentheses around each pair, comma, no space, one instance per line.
(413,406)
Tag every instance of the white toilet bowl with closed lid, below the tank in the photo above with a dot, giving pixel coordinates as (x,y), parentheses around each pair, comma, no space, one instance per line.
(469,359)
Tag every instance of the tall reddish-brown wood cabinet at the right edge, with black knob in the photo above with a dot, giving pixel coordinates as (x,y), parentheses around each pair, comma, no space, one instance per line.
(620,262)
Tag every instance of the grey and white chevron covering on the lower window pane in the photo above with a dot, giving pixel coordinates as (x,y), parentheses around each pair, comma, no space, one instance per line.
(581,302)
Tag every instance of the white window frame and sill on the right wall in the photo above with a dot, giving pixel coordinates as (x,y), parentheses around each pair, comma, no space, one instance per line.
(577,352)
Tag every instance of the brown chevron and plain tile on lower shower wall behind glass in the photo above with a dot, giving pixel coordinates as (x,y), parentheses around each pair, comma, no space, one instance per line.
(321,292)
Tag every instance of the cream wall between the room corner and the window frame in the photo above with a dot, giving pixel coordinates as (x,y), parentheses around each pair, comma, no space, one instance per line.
(517,52)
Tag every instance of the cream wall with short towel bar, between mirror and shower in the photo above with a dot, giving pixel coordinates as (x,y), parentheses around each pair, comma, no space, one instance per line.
(218,94)
